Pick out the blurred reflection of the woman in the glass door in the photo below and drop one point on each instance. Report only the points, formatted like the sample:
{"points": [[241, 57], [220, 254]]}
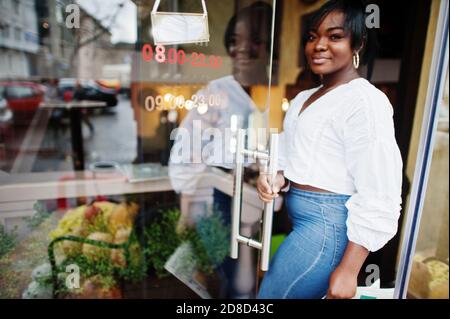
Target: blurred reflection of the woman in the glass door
{"points": [[248, 45]]}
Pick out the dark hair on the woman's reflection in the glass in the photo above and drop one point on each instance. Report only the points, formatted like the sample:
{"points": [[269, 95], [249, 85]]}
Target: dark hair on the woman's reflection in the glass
{"points": [[259, 14]]}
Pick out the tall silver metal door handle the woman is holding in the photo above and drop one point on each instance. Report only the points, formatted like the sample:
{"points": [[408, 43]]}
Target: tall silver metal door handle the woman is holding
{"points": [[269, 164]]}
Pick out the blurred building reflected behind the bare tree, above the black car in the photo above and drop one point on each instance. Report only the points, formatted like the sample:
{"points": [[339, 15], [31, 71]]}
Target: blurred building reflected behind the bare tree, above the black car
{"points": [[75, 52]]}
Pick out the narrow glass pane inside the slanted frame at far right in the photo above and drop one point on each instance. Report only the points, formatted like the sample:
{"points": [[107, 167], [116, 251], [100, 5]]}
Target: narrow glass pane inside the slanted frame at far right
{"points": [[429, 272]]}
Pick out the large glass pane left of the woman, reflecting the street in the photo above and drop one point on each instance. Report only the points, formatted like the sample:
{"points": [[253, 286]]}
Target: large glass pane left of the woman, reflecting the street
{"points": [[114, 100]]}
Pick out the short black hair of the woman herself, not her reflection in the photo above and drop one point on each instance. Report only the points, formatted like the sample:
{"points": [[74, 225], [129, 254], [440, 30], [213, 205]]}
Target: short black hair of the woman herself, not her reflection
{"points": [[355, 24]]}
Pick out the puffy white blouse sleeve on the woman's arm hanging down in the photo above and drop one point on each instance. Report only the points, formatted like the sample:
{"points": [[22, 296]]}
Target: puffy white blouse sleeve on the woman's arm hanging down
{"points": [[374, 162]]}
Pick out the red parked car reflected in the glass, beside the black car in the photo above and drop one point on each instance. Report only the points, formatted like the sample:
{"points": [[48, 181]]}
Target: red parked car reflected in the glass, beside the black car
{"points": [[22, 96]]}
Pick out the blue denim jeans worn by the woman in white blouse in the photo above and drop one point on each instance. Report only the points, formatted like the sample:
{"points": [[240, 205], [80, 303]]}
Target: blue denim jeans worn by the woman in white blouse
{"points": [[303, 263]]}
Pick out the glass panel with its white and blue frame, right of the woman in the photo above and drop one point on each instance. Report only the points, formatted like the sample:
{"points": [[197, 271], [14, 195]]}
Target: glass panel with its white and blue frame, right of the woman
{"points": [[423, 269]]}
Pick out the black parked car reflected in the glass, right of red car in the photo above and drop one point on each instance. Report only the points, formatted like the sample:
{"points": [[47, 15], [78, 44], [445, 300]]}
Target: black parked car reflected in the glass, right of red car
{"points": [[90, 90]]}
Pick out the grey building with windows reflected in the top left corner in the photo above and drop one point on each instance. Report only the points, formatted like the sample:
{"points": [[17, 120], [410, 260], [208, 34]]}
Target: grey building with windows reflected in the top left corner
{"points": [[18, 38]]}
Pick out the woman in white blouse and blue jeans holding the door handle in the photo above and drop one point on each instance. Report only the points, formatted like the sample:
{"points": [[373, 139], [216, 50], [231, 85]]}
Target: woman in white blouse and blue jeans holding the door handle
{"points": [[342, 163]]}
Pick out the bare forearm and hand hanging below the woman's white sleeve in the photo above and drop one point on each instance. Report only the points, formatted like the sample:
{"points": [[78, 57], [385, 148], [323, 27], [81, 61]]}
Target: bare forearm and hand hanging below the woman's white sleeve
{"points": [[343, 280]]}
